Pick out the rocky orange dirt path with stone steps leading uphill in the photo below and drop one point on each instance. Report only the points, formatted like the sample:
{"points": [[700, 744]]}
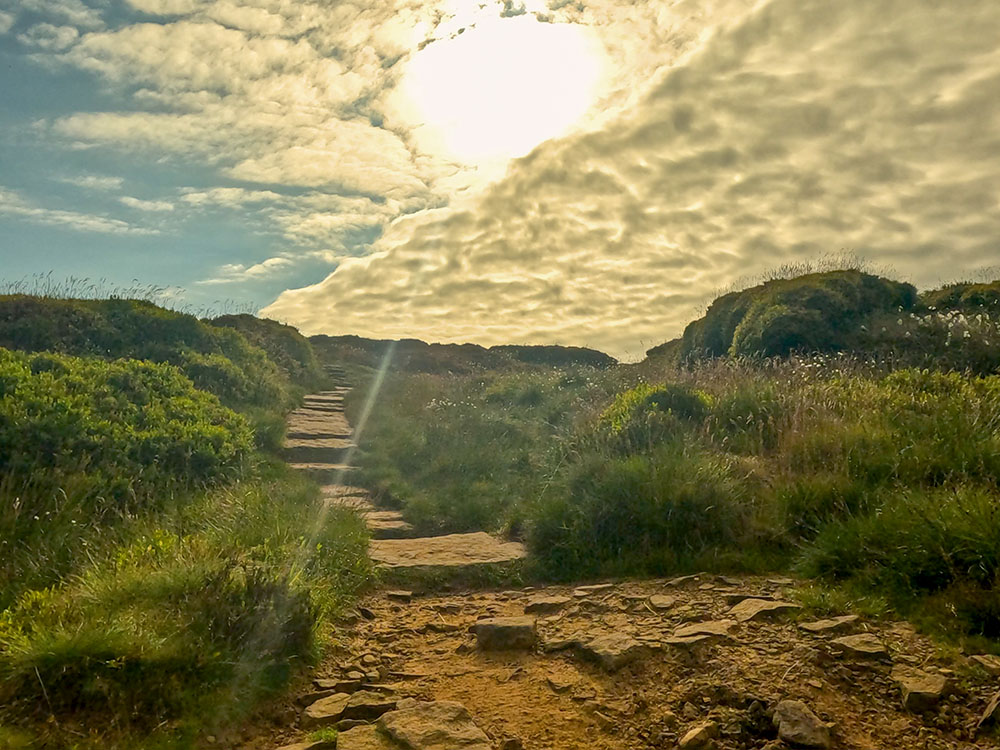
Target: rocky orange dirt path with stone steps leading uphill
{"points": [[697, 662]]}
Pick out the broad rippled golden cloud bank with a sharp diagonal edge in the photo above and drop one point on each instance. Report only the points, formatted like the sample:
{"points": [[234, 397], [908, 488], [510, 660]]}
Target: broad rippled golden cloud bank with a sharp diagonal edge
{"points": [[791, 131]]}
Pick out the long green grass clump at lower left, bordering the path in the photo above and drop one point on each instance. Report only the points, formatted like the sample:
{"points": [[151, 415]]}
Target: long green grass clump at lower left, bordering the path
{"points": [[184, 622]]}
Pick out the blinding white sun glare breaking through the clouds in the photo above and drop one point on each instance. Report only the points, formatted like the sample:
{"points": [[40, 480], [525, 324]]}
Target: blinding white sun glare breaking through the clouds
{"points": [[501, 87]]}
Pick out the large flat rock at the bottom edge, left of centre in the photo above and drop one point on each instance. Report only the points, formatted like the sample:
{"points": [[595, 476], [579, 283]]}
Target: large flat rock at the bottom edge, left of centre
{"points": [[437, 725]]}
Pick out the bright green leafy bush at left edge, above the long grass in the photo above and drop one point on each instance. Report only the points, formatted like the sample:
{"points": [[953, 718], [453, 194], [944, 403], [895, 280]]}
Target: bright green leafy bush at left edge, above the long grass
{"points": [[136, 429]]}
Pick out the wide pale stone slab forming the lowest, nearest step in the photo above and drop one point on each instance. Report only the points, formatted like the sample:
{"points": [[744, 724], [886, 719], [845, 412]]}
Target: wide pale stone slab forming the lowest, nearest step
{"points": [[452, 550]]}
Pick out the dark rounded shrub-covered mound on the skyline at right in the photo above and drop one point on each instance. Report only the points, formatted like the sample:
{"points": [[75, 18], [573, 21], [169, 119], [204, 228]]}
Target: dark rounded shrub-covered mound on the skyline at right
{"points": [[849, 312]]}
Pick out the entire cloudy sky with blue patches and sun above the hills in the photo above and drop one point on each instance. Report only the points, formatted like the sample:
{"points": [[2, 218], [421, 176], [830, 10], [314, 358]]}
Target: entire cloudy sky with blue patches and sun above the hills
{"points": [[580, 172]]}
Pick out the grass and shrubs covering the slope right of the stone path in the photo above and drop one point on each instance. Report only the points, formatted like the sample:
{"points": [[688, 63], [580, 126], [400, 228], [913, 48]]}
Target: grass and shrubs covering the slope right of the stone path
{"points": [[856, 468]]}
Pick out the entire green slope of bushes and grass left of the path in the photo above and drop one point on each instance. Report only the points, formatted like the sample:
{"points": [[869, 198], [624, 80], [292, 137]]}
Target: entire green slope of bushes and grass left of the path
{"points": [[160, 576]]}
